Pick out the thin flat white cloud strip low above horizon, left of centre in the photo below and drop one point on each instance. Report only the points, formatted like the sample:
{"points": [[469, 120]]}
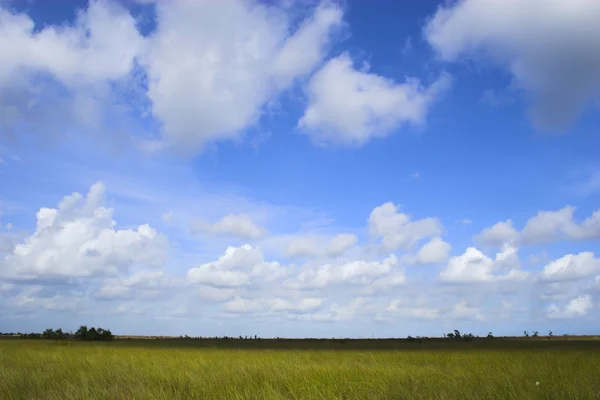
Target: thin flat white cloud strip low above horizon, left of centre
{"points": [[240, 305]]}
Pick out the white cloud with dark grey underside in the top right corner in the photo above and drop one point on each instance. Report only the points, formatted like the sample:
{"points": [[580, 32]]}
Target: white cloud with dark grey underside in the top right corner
{"points": [[550, 47]]}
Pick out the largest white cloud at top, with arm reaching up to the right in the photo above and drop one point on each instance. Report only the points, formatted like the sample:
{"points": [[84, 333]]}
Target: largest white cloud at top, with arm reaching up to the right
{"points": [[232, 58]]}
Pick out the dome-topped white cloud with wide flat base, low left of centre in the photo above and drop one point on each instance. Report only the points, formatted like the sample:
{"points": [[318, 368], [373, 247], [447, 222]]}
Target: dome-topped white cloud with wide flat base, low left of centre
{"points": [[239, 266]]}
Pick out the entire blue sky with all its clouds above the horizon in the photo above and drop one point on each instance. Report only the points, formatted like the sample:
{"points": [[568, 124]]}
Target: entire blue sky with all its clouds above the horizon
{"points": [[300, 168]]}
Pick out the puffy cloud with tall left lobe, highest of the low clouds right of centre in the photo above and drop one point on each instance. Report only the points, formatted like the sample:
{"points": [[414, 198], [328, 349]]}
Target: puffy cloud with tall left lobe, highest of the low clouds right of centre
{"points": [[397, 230]]}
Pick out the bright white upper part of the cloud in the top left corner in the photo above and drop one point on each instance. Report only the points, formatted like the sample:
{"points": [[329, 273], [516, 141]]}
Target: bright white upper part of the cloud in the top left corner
{"points": [[101, 45]]}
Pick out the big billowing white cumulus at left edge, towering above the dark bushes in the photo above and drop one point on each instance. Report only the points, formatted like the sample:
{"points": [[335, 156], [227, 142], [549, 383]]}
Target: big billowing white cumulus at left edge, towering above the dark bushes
{"points": [[78, 239]]}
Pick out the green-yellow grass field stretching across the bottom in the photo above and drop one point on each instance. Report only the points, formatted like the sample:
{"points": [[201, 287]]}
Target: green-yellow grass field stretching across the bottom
{"points": [[295, 369]]}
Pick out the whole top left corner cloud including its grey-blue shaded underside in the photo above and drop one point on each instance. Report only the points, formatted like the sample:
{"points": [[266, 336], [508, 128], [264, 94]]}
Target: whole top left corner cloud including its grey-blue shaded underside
{"points": [[64, 71]]}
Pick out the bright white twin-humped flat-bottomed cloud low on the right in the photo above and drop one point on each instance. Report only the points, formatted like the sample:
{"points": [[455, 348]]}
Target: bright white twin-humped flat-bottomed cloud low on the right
{"points": [[474, 266]]}
